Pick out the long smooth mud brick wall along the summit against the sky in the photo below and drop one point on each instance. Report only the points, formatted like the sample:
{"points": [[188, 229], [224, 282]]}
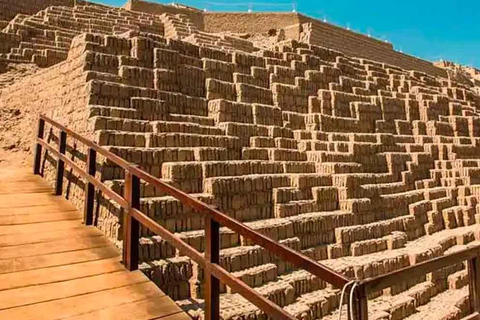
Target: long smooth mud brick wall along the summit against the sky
{"points": [[296, 27]]}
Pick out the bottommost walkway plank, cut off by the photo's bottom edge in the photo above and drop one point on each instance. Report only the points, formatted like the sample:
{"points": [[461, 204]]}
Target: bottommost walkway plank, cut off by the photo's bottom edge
{"points": [[153, 308]]}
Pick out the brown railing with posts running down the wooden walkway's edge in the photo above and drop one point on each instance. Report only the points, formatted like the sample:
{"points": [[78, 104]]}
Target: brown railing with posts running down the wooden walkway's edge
{"points": [[130, 202]]}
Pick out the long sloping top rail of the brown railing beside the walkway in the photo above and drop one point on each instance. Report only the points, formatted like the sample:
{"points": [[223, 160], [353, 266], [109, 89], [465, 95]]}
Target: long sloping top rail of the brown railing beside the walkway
{"points": [[319, 270]]}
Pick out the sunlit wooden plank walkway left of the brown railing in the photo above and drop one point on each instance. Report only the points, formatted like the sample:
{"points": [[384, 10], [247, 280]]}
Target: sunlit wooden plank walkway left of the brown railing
{"points": [[54, 267]]}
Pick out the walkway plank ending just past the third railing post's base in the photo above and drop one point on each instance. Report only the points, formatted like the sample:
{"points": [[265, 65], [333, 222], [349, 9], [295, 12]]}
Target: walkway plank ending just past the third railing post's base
{"points": [[45, 236]]}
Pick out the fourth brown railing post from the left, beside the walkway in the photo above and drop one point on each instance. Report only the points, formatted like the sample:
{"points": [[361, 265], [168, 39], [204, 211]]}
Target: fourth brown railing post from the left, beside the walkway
{"points": [[131, 227]]}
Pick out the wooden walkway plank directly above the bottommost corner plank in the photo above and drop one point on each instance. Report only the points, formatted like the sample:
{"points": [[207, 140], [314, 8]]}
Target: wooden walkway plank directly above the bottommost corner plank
{"points": [[73, 306]]}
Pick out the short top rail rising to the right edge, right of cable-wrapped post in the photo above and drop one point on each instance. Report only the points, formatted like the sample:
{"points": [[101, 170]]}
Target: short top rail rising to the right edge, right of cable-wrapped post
{"points": [[395, 277]]}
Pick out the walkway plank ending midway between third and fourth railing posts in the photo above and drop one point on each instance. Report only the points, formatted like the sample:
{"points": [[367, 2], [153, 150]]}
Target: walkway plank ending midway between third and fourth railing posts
{"points": [[64, 245]]}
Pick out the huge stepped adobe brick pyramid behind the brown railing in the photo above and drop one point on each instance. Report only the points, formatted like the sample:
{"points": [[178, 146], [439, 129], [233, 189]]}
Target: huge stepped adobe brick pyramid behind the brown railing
{"points": [[328, 141]]}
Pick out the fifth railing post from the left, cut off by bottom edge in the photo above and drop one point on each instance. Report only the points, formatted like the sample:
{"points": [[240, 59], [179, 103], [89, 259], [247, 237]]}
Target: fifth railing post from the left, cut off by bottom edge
{"points": [[212, 284]]}
